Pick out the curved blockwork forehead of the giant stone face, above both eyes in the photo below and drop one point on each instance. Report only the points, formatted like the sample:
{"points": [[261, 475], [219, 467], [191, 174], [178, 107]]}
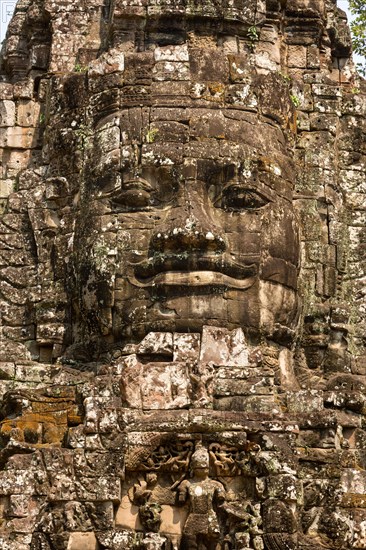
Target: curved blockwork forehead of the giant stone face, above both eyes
{"points": [[166, 145]]}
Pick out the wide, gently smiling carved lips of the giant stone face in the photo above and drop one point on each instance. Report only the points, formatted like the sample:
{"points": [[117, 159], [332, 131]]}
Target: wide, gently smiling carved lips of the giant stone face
{"points": [[193, 271]]}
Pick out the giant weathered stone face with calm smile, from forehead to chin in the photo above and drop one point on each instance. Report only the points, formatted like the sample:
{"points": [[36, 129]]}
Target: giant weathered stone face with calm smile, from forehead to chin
{"points": [[186, 220]]}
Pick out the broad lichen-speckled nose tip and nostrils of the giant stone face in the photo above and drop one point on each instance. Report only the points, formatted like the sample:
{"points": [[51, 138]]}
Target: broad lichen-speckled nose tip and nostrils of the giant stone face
{"points": [[190, 236]]}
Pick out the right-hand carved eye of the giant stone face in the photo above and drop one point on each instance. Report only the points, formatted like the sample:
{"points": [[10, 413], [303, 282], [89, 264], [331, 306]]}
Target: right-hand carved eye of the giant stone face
{"points": [[237, 196]]}
